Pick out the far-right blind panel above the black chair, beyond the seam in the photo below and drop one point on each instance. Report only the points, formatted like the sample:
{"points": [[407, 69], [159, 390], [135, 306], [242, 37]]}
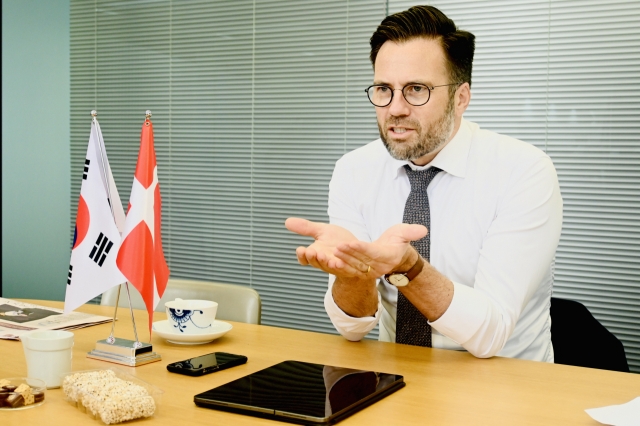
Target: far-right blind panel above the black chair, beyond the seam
{"points": [[594, 140]]}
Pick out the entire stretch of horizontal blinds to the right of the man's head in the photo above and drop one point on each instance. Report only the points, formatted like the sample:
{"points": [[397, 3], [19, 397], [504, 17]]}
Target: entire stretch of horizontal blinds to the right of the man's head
{"points": [[563, 75]]}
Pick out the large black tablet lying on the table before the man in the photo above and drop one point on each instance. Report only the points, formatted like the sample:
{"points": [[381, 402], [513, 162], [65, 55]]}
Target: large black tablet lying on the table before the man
{"points": [[301, 392]]}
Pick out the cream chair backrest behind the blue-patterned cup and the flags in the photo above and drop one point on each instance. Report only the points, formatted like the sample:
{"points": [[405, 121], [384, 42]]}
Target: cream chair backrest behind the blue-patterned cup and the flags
{"points": [[235, 302]]}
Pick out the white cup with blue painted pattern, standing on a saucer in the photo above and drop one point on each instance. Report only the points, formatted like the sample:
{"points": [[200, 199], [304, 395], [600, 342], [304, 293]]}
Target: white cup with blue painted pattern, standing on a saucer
{"points": [[191, 316]]}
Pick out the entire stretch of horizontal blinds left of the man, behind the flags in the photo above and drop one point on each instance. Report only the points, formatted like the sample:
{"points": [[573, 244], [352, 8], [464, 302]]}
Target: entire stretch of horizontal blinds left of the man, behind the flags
{"points": [[253, 102]]}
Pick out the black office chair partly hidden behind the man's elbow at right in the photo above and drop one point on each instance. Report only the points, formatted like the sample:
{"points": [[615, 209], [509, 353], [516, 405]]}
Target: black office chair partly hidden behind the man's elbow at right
{"points": [[579, 339]]}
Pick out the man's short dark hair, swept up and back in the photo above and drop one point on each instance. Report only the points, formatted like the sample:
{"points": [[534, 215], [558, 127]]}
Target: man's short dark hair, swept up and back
{"points": [[429, 22]]}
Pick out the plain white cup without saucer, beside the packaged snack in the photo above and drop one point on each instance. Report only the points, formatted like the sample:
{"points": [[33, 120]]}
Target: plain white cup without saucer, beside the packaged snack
{"points": [[48, 354]]}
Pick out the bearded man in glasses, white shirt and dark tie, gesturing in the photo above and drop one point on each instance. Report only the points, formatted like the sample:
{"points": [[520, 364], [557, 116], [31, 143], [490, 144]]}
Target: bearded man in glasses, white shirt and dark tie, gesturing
{"points": [[482, 273]]}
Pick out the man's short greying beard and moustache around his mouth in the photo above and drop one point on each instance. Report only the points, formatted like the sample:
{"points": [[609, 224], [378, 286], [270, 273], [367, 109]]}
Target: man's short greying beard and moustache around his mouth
{"points": [[424, 142]]}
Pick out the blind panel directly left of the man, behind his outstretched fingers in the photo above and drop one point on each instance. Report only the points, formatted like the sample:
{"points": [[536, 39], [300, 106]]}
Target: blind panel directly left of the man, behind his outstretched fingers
{"points": [[303, 56]]}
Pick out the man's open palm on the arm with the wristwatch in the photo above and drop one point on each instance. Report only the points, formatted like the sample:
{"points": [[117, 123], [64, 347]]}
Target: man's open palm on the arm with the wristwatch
{"points": [[391, 252]]}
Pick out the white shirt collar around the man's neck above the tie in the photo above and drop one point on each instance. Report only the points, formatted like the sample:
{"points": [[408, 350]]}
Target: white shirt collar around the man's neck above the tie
{"points": [[453, 157]]}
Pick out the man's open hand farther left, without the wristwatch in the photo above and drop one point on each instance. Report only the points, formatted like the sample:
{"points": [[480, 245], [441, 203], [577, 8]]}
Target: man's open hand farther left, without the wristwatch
{"points": [[321, 254]]}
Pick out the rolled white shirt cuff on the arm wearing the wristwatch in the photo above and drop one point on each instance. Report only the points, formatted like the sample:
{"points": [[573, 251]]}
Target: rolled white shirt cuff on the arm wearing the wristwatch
{"points": [[465, 316]]}
